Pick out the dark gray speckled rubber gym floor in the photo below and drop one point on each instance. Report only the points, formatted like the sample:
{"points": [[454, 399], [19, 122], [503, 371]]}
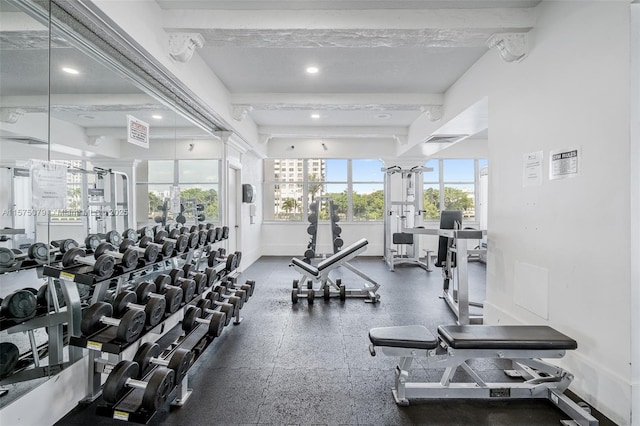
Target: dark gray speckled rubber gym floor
{"points": [[310, 364]]}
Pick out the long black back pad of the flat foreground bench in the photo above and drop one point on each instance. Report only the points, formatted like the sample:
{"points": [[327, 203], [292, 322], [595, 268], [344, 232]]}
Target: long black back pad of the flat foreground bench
{"points": [[536, 337]]}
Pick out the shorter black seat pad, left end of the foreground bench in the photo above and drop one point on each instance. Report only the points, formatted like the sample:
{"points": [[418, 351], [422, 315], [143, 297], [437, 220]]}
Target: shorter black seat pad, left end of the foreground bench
{"points": [[403, 336]]}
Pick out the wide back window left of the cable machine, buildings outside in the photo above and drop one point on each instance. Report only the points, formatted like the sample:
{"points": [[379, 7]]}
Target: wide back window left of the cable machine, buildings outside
{"points": [[354, 186]]}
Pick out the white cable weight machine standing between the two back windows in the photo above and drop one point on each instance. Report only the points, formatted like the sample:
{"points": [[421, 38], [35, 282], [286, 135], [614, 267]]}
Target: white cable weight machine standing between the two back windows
{"points": [[401, 246]]}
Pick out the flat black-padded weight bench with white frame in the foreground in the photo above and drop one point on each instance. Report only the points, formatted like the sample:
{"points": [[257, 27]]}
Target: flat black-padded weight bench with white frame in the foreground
{"points": [[524, 346]]}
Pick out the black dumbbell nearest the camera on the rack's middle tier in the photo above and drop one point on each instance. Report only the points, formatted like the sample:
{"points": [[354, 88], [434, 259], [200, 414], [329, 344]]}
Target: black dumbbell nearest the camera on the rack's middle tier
{"points": [[100, 314]]}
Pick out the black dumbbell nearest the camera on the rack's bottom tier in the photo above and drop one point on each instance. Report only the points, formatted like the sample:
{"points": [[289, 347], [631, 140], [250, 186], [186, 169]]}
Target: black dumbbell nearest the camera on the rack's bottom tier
{"points": [[156, 390]]}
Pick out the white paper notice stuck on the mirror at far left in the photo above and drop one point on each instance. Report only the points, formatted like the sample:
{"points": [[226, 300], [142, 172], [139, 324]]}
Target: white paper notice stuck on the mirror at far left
{"points": [[48, 185]]}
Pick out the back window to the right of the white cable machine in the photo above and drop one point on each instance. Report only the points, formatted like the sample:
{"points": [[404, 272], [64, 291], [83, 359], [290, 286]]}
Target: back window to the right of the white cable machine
{"points": [[453, 185]]}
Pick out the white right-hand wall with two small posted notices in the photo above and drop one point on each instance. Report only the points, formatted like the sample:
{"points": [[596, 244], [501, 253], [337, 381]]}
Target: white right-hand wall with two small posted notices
{"points": [[571, 91]]}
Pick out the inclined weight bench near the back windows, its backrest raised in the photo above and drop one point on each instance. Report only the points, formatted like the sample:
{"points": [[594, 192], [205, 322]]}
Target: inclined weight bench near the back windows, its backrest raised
{"points": [[320, 274]]}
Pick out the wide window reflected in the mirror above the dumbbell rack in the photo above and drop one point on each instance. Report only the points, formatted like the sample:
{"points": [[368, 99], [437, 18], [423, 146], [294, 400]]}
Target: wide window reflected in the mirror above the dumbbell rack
{"points": [[197, 180]]}
